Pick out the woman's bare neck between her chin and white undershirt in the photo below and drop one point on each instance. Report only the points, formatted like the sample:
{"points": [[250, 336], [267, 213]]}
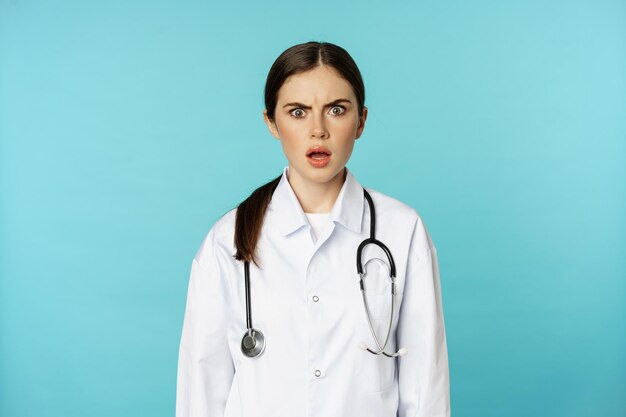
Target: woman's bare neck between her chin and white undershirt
{"points": [[316, 197]]}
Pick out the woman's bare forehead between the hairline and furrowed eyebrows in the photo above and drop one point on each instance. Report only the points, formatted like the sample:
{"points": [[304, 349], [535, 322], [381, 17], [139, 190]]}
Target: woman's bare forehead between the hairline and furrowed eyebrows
{"points": [[323, 83]]}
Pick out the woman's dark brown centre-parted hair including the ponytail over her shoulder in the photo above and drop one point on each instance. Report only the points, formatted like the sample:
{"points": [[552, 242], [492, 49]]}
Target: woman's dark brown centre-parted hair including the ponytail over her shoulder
{"points": [[294, 60]]}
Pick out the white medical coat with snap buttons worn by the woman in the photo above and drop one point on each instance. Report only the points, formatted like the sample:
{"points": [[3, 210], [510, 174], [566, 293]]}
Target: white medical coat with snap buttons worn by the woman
{"points": [[307, 302]]}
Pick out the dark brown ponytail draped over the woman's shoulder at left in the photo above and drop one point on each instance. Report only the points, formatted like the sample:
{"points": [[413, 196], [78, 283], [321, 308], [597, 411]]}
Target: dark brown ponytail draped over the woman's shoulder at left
{"points": [[249, 221]]}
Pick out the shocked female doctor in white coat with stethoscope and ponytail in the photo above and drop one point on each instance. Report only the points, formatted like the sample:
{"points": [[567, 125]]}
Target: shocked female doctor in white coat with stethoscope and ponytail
{"points": [[315, 297]]}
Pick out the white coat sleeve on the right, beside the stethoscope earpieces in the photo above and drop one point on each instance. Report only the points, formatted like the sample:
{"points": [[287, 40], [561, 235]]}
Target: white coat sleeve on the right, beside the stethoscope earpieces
{"points": [[423, 375]]}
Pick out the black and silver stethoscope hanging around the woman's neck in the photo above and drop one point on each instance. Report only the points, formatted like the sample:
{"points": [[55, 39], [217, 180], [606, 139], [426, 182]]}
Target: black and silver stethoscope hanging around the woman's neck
{"points": [[253, 341]]}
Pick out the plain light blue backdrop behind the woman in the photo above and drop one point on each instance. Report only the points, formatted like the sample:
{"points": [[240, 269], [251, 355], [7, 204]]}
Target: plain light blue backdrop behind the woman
{"points": [[128, 128]]}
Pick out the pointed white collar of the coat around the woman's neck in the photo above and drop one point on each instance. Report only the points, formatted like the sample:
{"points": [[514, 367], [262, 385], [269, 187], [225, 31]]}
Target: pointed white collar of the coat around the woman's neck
{"points": [[289, 215]]}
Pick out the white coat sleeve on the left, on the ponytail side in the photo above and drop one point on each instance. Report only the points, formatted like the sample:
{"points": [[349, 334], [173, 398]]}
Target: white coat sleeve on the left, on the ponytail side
{"points": [[205, 365]]}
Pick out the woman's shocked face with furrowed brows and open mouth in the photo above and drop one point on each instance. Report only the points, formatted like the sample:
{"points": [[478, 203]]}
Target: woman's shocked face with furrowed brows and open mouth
{"points": [[316, 108]]}
